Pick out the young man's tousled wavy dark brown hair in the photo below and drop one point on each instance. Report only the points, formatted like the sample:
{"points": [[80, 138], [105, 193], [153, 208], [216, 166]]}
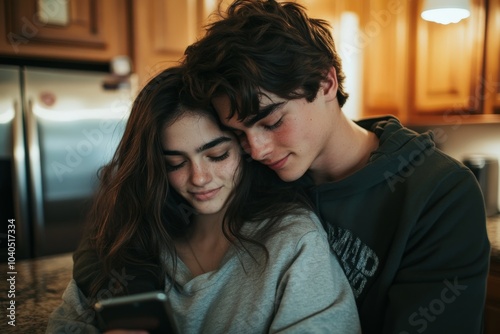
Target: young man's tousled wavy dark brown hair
{"points": [[262, 44]]}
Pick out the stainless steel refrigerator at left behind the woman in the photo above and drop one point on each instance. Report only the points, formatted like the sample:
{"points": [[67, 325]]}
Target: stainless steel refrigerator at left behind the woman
{"points": [[57, 128]]}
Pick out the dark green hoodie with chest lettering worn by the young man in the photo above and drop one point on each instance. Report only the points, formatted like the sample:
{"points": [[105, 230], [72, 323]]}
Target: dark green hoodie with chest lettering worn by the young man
{"points": [[410, 231]]}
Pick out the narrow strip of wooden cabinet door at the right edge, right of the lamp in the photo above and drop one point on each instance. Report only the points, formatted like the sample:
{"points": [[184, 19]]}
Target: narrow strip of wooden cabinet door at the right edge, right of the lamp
{"points": [[491, 82]]}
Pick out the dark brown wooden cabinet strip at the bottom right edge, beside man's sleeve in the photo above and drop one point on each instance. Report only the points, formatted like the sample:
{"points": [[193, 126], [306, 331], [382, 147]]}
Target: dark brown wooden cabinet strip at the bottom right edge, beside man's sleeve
{"points": [[492, 307]]}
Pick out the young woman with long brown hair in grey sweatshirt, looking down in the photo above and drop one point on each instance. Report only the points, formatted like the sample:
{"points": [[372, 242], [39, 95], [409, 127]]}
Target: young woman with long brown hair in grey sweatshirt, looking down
{"points": [[181, 209]]}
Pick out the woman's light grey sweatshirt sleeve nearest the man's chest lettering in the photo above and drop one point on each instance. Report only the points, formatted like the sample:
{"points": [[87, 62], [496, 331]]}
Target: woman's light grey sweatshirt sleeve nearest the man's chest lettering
{"points": [[314, 294]]}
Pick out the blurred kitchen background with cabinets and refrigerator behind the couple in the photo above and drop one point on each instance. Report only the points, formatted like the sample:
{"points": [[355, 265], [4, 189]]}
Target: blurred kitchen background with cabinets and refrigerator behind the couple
{"points": [[69, 70]]}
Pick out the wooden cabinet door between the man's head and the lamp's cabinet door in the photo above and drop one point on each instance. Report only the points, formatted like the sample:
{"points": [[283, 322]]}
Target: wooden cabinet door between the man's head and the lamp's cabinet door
{"points": [[386, 41]]}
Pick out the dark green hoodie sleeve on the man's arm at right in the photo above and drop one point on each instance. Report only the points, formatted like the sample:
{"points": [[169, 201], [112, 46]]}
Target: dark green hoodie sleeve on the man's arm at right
{"points": [[445, 266]]}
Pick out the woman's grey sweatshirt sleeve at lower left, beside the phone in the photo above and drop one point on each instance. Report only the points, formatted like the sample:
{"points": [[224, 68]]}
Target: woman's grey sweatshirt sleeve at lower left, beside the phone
{"points": [[73, 315]]}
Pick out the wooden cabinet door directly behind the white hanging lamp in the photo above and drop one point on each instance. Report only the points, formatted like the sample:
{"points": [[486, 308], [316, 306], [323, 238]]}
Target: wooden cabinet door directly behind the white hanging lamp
{"points": [[447, 63]]}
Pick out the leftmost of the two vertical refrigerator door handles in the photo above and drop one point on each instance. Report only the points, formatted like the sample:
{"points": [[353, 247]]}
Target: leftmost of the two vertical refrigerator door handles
{"points": [[20, 184]]}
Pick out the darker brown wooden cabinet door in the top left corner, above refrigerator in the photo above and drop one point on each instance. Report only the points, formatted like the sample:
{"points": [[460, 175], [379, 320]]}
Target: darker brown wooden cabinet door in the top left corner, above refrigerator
{"points": [[82, 30]]}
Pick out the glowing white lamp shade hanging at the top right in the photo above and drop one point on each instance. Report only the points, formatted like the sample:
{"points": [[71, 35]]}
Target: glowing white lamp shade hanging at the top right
{"points": [[445, 11]]}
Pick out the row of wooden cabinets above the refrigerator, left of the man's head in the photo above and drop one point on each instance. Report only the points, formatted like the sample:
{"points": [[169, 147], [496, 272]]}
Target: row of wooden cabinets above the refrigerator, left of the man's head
{"points": [[153, 33]]}
